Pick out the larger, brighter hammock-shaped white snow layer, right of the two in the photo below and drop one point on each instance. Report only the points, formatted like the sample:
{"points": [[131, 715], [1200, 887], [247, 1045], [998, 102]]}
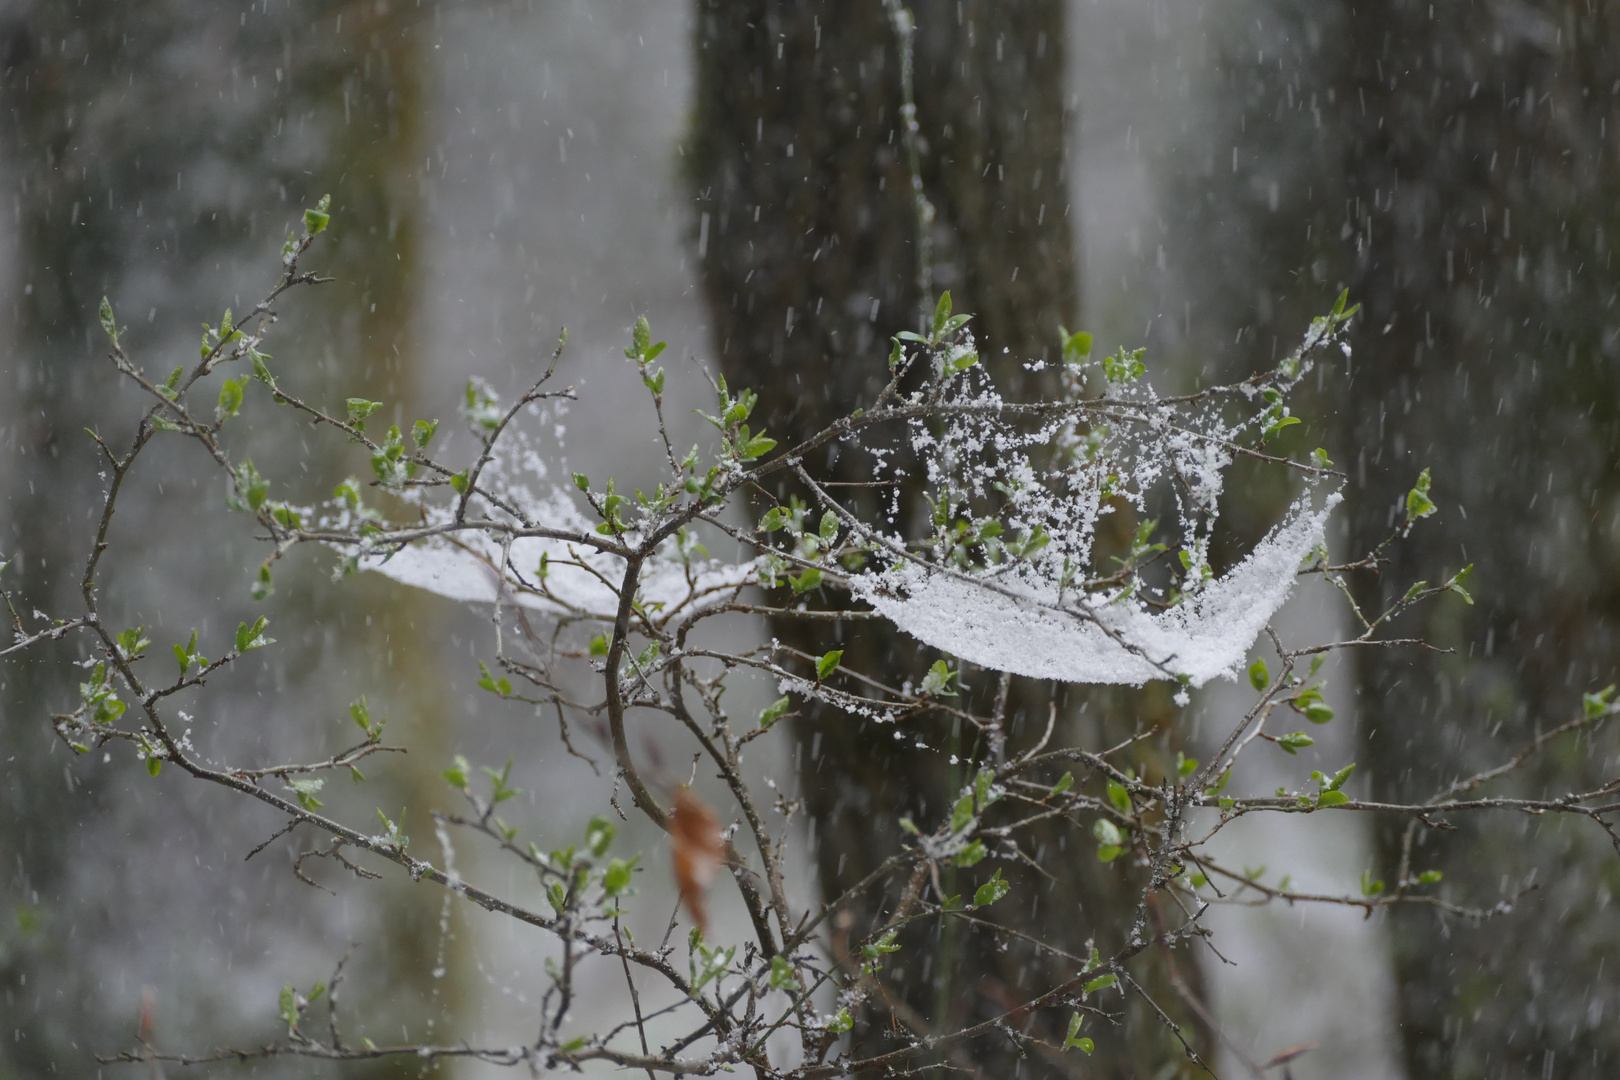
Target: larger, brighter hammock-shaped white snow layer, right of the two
{"points": [[1023, 627]]}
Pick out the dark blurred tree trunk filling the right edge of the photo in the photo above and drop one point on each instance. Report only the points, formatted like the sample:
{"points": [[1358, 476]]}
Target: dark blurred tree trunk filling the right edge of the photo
{"points": [[1491, 274]]}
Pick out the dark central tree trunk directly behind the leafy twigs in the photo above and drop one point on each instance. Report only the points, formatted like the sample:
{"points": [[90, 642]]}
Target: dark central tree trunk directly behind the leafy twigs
{"points": [[808, 239]]}
